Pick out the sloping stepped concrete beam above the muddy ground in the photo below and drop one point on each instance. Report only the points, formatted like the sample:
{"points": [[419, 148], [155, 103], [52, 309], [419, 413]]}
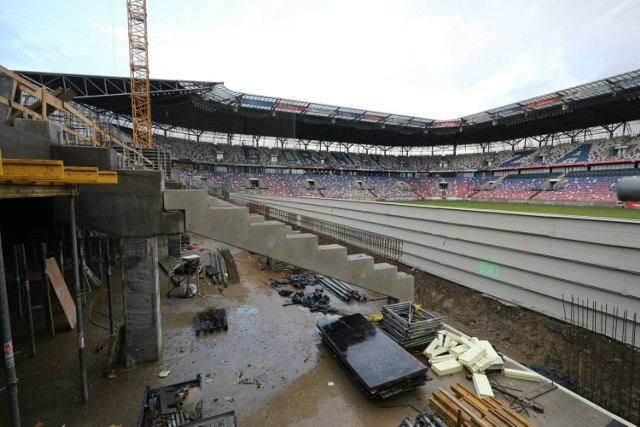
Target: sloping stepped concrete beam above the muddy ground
{"points": [[234, 225]]}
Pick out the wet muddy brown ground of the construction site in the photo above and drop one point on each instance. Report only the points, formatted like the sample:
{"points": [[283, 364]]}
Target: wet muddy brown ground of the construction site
{"points": [[270, 367]]}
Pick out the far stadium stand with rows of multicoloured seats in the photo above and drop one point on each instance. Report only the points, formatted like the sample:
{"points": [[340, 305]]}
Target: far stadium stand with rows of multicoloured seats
{"points": [[510, 175]]}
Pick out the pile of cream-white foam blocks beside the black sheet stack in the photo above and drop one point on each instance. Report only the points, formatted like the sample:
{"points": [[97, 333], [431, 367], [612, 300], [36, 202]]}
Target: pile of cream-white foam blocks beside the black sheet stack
{"points": [[476, 355]]}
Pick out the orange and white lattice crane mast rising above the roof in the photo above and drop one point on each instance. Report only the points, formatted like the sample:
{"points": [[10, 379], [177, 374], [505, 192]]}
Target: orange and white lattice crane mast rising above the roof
{"points": [[139, 65]]}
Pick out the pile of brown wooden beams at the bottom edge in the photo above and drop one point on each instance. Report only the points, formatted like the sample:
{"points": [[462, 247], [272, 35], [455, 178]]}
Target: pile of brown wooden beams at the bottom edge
{"points": [[464, 408]]}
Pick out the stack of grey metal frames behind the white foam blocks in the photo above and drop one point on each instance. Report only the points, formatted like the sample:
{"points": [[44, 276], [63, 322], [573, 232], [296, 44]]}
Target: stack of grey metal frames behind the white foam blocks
{"points": [[409, 325]]}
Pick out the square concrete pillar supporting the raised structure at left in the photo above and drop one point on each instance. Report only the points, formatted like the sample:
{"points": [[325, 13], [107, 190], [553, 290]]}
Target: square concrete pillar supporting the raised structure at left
{"points": [[141, 295]]}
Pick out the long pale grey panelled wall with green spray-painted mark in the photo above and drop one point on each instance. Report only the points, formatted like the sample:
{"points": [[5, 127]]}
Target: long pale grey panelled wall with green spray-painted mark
{"points": [[531, 260]]}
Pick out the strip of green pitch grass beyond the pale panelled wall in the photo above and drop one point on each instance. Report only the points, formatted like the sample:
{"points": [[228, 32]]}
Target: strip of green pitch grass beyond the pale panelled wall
{"points": [[616, 212]]}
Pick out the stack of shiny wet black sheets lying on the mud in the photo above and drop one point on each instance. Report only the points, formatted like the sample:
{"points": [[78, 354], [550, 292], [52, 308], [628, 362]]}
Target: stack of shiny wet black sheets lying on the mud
{"points": [[378, 363]]}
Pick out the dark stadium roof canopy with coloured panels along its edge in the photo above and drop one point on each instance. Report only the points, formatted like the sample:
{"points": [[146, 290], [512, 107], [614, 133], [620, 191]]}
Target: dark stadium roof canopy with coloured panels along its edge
{"points": [[210, 106]]}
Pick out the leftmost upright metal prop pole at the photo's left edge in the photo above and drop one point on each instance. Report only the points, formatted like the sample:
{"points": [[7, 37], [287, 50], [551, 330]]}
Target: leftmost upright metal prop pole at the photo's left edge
{"points": [[9, 359]]}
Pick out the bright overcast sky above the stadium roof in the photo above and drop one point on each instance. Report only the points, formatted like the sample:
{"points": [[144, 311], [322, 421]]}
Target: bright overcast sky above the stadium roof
{"points": [[438, 59]]}
